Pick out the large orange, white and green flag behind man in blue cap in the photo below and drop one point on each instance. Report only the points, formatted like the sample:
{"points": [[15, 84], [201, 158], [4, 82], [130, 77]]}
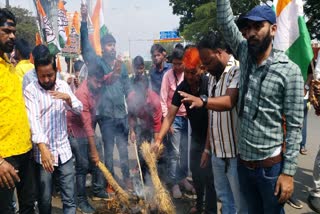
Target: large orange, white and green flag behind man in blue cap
{"points": [[292, 34]]}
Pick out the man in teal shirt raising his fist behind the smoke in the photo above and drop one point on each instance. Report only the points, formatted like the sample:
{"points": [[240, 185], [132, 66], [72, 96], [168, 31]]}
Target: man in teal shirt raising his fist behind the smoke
{"points": [[112, 115]]}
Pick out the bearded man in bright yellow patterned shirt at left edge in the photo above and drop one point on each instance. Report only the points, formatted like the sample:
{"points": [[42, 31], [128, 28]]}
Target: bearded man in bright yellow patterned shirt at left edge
{"points": [[16, 164]]}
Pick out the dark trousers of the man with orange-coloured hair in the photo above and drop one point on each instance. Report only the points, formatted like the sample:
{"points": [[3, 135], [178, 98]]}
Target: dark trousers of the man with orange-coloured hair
{"points": [[202, 179]]}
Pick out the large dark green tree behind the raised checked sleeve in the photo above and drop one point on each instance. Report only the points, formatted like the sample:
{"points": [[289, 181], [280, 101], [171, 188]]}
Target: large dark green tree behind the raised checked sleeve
{"points": [[198, 16]]}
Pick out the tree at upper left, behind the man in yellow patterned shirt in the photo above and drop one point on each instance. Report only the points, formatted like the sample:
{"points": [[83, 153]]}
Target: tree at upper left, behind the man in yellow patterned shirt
{"points": [[26, 24]]}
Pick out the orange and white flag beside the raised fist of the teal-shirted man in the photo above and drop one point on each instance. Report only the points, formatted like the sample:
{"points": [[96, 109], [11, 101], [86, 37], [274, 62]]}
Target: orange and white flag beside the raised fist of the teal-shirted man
{"points": [[99, 27]]}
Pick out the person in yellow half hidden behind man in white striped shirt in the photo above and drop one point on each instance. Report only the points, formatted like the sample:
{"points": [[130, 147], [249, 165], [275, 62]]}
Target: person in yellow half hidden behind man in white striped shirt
{"points": [[22, 55]]}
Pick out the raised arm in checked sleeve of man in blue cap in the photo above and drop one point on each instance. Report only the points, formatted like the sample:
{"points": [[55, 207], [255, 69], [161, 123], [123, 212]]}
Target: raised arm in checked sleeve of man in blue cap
{"points": [[227, 25]]}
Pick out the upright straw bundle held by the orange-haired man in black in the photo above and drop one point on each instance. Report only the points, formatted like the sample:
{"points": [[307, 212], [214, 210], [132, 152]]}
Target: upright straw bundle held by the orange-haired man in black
{"points": [[162, 196]]}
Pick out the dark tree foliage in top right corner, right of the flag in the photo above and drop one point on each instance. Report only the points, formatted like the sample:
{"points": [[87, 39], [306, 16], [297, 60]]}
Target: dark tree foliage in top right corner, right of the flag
{"points": [[312, 10]]}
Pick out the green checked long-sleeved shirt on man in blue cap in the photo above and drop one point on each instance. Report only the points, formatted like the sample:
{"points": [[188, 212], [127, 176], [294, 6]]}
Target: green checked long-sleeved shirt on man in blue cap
{"points": [[281, 93]]}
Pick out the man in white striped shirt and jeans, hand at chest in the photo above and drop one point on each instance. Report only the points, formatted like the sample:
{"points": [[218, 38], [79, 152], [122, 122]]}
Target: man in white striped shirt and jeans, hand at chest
{"points": [[47, 102]]}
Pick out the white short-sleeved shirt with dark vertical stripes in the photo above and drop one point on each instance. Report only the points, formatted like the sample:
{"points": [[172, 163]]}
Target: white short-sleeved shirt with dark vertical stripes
{"points": [[222, 125]]}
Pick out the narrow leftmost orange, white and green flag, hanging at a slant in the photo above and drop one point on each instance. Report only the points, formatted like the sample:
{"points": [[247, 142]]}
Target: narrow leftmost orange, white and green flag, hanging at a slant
{"points": [[50, 37]]}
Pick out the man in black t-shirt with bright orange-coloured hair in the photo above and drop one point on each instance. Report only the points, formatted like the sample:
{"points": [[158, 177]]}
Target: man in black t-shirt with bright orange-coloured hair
{"points": [[195, 83]]}
